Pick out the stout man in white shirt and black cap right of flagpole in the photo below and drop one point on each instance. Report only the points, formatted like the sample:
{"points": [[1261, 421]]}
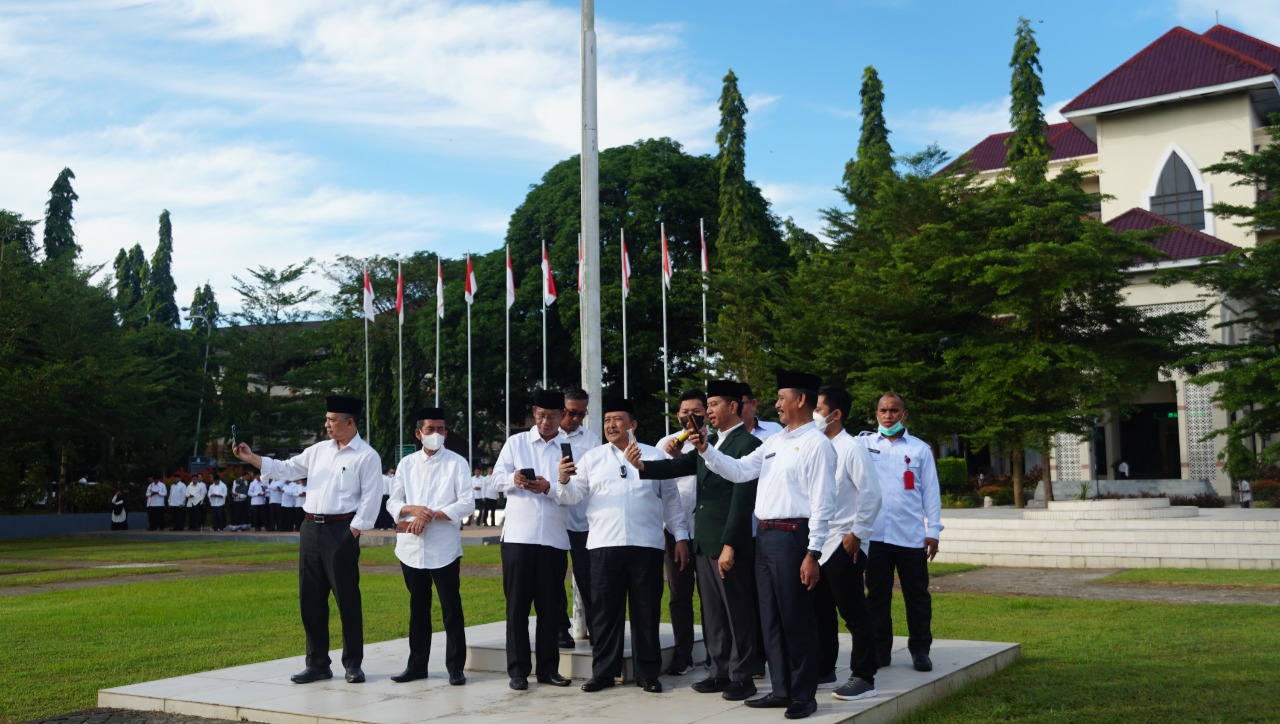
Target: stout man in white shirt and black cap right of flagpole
{"points": [[627, 519]]}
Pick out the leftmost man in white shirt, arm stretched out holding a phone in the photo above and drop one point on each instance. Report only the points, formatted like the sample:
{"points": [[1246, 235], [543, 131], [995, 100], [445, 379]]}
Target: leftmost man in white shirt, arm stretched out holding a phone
{"points": [[345, 491]]}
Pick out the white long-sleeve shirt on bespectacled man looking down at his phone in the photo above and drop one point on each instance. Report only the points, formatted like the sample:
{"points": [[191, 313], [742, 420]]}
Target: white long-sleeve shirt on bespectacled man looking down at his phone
{"points": [[532, 517]]}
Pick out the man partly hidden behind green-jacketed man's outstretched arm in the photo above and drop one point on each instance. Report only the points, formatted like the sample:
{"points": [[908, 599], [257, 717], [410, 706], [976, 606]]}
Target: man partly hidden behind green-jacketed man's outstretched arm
{"points": [[682, 580]]}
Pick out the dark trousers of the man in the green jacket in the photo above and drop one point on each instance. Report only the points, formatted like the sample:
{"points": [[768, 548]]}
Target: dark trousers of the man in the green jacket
{"points": [[730, 622]]}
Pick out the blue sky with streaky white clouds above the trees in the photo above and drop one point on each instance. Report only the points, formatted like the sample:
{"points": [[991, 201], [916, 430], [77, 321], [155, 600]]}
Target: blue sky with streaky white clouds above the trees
{"points": [[294, 129]]}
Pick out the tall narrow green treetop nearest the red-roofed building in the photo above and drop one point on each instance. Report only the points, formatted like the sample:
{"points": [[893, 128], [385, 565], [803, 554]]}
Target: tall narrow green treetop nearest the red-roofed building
{"points": [[1028, 145]]}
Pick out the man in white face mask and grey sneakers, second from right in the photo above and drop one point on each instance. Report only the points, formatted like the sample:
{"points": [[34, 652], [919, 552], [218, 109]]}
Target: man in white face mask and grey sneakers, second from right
{"points": [[844, 555]]}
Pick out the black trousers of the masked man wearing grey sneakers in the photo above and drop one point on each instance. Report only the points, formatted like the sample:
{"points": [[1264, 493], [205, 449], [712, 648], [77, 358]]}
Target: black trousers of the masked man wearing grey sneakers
{"points": [[840, 589]]}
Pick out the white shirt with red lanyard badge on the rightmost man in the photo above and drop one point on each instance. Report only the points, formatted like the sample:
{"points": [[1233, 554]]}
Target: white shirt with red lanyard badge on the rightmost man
{"points": [[908, 516]]}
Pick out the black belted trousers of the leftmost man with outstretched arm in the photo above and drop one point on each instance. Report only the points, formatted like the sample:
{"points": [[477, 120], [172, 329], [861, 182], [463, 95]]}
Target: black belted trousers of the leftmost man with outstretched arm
{"points": [[330, 562]]}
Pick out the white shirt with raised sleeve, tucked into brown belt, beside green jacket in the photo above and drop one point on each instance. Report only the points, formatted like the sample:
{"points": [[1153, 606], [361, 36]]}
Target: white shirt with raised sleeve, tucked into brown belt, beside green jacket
{"points": [[798, 478]]}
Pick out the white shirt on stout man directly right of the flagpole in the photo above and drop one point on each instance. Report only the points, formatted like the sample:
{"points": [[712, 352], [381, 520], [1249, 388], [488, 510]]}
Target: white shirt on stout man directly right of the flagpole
{"points": [[623, 510]]}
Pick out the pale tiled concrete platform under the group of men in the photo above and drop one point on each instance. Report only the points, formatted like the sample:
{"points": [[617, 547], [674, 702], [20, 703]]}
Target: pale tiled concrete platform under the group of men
{"points": [[262, 693]]}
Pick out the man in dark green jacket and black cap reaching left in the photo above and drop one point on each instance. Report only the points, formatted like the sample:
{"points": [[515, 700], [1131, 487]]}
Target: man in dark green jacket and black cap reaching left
{"points": [[724, 549]]}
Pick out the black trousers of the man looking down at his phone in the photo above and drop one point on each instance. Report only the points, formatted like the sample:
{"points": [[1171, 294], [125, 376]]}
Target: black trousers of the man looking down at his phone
{"points": [[533, 575]]}
